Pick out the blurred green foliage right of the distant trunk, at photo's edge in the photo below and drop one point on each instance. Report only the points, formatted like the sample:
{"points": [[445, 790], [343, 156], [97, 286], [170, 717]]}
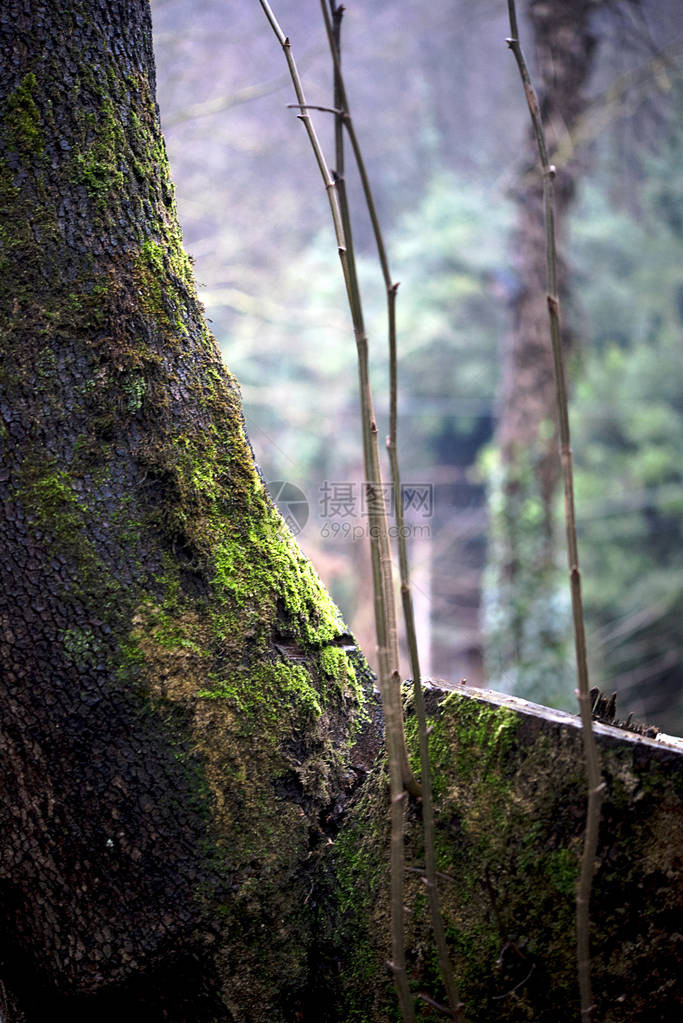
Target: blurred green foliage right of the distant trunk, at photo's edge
{"points": [[628, 437]]}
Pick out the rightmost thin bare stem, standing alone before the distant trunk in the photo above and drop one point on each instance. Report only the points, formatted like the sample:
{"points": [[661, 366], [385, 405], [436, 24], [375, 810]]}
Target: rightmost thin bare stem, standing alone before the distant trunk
{"points": [[596, 785]]}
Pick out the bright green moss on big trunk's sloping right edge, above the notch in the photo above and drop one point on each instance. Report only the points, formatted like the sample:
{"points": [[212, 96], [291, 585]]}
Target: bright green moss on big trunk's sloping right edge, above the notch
{"points": [[259, 576]]}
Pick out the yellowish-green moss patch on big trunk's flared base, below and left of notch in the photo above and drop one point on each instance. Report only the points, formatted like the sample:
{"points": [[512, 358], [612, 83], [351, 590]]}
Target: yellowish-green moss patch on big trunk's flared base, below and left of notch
{"points": [[236, 689]]}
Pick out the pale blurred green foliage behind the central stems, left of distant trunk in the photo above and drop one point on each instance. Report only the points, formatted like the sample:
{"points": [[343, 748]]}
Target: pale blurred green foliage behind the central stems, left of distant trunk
{"points": [[449, 255]]}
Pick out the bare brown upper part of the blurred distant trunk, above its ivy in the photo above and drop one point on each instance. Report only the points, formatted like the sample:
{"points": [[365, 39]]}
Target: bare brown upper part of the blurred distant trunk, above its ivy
{"points": [[564, 48]]}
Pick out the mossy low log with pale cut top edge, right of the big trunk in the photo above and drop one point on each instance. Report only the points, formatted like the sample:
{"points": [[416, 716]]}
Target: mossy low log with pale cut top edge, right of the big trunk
{"points": [[511, 800]]}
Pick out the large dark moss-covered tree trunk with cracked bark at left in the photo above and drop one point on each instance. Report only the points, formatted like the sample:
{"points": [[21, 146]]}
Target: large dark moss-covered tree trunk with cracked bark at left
{"points": [[179, 699]]}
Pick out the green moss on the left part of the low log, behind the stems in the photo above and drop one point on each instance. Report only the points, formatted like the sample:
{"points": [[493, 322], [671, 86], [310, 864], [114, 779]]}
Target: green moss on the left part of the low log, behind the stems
{"points": [[474, 752]]}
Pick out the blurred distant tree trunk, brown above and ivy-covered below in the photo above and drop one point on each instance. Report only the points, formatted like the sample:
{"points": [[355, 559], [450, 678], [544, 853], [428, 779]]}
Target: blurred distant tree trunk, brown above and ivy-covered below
{"points": [[529, 620]]}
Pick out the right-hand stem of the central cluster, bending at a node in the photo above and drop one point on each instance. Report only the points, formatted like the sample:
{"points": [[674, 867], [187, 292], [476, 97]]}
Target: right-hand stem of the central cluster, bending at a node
{"points": [[345, 120]]}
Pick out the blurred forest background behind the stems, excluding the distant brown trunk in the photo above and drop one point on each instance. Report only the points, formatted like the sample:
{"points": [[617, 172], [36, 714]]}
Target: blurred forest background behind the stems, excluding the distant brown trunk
{"points": [[438, 106]]}
